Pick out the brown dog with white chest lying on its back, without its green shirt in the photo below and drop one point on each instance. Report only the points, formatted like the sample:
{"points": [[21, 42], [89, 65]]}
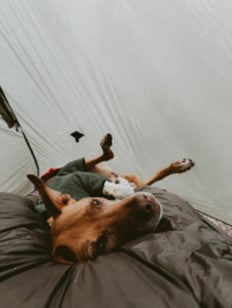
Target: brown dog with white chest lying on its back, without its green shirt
{"points": [[85, 228]]}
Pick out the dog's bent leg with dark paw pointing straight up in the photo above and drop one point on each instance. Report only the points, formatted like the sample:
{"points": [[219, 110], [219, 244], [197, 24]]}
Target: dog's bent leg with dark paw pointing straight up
{"points": [[106, 155]]}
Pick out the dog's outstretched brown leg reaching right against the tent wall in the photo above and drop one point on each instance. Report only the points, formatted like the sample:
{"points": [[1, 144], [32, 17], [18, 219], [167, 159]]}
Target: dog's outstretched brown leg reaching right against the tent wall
{"points": [[176, 167]]}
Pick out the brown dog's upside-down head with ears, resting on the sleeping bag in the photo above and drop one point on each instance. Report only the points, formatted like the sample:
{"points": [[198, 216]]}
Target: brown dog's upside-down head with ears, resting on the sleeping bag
{"points": [[85, 229]]}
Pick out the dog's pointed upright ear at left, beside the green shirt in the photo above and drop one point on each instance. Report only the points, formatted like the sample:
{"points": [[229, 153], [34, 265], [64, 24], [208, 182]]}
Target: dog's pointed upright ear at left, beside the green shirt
{"points": [[53, 200]]}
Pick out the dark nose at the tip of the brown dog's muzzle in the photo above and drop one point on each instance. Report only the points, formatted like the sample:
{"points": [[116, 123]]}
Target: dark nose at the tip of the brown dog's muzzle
{"points": [[146, 202]]}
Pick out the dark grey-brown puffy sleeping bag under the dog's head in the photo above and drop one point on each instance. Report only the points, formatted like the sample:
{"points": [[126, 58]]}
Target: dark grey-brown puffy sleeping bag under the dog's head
{"points": [[186, 261]]}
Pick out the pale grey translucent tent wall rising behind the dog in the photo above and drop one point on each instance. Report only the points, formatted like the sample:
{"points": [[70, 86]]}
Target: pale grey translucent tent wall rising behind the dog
{"points": [[156, 74]]}
